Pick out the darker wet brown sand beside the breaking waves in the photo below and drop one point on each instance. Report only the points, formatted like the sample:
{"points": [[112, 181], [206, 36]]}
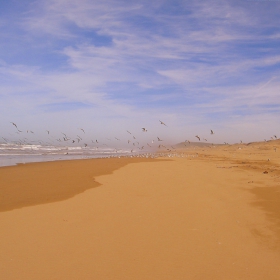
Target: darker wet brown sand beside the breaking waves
{"points": [[31, 183]]}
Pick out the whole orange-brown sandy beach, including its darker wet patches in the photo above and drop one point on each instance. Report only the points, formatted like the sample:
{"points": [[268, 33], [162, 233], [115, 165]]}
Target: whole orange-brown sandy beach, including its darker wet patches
{"points": [[213, 214]]}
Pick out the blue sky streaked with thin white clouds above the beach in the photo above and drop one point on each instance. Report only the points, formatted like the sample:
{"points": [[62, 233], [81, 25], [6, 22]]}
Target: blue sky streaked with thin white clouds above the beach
{"points": [[108, 66]]}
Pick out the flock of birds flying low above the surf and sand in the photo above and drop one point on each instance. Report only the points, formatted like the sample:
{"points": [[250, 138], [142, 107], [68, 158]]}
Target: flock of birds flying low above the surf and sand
{"points": [[135, 145]]}
